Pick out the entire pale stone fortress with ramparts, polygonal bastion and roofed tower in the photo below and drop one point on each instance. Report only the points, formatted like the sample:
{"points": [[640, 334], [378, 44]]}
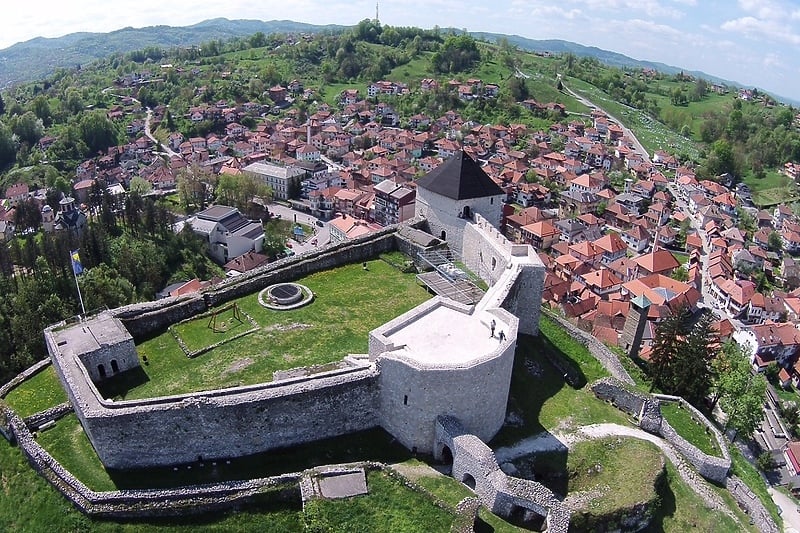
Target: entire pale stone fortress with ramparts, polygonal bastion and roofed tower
{"points": [[442, 364]]}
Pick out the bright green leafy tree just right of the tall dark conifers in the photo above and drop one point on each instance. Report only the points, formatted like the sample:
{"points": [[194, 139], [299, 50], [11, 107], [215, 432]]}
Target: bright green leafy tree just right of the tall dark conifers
{"points": [[739, 391]]}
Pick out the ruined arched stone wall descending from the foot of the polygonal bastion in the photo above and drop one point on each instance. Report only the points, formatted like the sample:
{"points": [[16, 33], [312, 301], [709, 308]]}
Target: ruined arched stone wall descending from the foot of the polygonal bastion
{"points": [[475, 465]]}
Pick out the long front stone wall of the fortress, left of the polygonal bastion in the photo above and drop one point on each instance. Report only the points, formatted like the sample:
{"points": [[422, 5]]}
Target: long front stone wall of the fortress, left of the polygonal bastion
{"points": [[232, 422]]}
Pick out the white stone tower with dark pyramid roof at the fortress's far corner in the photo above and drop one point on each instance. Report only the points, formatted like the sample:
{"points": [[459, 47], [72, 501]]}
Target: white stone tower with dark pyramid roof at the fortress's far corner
{"points": [[450, 195]]}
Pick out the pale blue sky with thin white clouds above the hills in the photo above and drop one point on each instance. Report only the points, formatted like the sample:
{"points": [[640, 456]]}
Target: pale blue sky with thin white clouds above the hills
{"points": [[753, 42]]}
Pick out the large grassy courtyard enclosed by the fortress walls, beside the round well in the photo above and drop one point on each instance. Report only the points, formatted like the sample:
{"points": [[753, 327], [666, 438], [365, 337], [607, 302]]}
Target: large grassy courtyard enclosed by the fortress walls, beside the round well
{"points": [[349, 303]]}
